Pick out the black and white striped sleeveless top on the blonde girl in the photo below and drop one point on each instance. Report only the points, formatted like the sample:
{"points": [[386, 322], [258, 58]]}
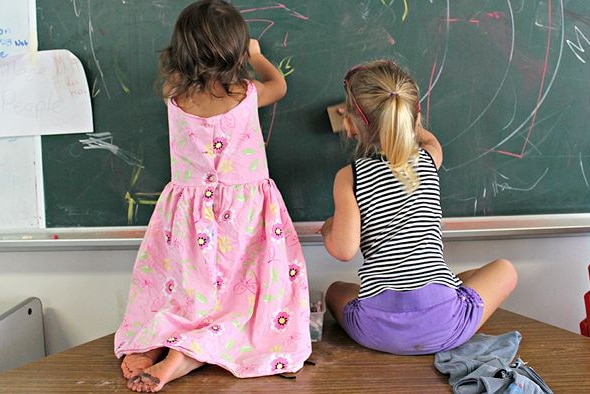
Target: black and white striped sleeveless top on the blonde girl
{"points": [[401, 239]]}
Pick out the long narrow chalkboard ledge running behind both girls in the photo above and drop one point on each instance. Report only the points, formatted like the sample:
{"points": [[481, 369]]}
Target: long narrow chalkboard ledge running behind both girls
{"points": [[454, 229]]}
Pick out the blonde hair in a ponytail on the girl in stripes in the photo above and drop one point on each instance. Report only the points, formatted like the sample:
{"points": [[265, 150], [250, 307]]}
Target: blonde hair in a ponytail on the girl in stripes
{"points": [[382, 102]]}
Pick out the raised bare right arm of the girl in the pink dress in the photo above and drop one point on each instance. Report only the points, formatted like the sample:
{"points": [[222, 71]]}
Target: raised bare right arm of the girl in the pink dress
{"points": [[271, 85]]}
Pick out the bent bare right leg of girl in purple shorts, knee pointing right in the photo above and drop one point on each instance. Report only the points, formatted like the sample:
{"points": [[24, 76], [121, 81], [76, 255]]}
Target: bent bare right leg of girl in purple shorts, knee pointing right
{"points": [[493, 282]]}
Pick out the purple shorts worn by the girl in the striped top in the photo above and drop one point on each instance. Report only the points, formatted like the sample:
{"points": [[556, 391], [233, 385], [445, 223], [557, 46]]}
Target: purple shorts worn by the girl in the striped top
{"points": [[422, 321]]}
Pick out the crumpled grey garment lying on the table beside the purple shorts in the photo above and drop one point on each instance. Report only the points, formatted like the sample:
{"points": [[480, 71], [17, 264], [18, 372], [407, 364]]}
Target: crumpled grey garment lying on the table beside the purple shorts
{"points": [[483, 365]]}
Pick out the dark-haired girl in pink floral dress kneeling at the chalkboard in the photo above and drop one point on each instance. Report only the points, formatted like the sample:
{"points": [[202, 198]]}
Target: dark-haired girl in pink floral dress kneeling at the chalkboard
{"points": [[220, 276]]}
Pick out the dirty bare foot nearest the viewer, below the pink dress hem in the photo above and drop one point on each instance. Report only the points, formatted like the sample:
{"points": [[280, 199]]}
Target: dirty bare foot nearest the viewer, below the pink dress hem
{"points": [[174, 366]]}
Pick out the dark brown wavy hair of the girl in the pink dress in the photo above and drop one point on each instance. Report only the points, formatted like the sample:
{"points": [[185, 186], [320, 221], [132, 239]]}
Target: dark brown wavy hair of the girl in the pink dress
{"points": [[209, 44]]}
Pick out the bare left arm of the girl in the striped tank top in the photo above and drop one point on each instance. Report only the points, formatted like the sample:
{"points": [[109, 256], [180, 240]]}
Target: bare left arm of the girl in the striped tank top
{"points": [[342, 232]]}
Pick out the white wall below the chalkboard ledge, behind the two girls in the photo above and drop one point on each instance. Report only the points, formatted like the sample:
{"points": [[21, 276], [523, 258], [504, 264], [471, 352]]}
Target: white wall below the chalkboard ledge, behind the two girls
{"points": [[84, 292]]}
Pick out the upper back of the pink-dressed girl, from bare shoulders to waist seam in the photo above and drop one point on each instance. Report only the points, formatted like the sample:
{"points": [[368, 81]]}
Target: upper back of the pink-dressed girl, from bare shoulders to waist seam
{"points": [[217, 144]]}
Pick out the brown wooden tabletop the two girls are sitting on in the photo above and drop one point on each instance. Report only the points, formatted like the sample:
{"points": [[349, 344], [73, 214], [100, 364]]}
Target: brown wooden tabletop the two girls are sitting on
{"points": [[561, 358]]}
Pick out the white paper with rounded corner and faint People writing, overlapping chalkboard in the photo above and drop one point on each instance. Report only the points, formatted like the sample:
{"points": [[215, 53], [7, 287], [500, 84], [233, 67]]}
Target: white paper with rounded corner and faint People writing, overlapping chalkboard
{"points": [[44, 93]]}
